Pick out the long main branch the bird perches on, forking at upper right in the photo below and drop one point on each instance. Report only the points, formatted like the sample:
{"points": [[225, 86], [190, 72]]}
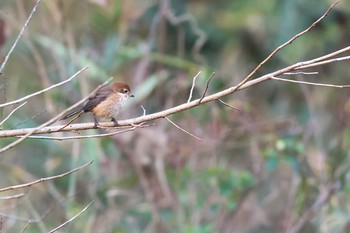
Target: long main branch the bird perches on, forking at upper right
{"points": [[162, 114]]}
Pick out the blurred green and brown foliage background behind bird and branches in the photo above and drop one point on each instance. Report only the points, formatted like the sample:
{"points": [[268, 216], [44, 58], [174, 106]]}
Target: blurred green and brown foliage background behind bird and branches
{"points": [[282, 157]]}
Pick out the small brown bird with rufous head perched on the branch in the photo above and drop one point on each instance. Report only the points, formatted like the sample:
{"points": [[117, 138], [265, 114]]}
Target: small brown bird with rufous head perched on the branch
{"points": [[105, 103]]}
